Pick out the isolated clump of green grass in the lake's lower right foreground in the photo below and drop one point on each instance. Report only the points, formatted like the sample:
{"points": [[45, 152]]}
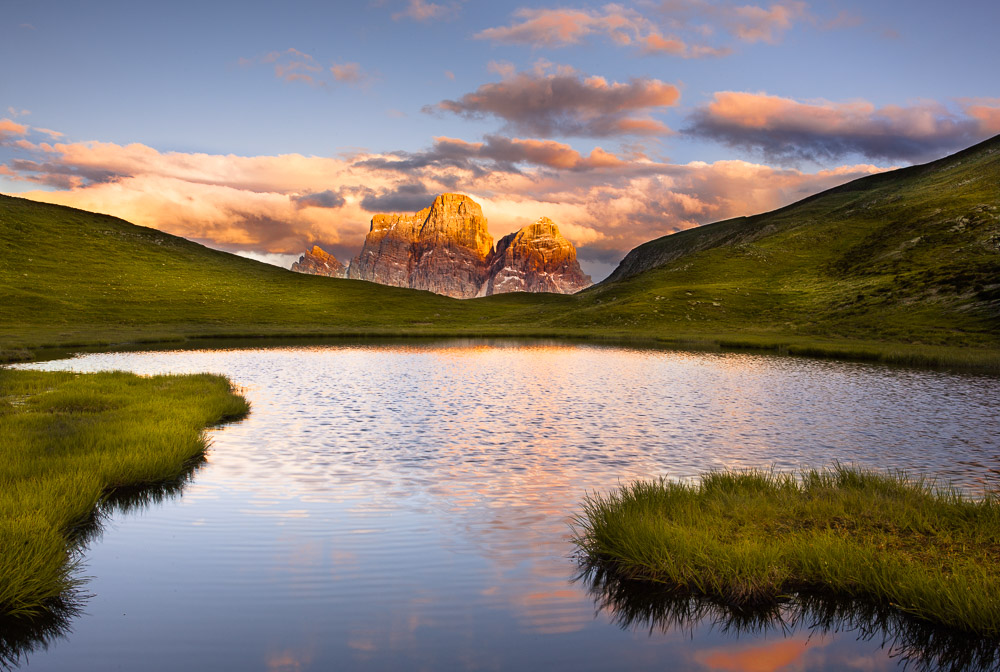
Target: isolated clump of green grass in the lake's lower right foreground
{"points": [[751, 539]]}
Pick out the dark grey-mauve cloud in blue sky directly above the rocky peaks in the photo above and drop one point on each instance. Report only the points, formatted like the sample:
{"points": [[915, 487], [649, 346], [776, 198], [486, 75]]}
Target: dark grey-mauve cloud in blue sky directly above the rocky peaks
{"points": [[564, 103]]}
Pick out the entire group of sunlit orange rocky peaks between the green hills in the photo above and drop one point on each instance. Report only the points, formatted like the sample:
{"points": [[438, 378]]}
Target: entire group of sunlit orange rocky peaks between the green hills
{"points": [[447, 249]]}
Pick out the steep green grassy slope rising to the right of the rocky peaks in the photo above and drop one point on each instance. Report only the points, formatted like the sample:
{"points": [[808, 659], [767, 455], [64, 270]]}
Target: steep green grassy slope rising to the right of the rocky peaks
{"points": [[911, 256]]}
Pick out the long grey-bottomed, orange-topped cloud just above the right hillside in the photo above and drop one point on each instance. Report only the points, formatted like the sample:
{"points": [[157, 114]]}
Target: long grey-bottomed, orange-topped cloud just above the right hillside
{"points": [[783, 129]]}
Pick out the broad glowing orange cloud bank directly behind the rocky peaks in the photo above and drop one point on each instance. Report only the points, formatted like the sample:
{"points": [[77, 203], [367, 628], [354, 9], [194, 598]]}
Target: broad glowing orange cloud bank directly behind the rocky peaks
{"points": [[605, 203]]}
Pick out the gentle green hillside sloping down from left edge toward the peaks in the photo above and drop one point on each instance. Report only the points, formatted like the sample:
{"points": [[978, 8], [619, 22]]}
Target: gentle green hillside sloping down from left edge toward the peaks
{"points": [[70, 276]]}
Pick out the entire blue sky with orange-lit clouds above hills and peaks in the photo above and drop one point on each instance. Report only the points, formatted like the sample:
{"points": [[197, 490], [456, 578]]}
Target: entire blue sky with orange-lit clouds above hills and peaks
{"points": [[266, 128]]}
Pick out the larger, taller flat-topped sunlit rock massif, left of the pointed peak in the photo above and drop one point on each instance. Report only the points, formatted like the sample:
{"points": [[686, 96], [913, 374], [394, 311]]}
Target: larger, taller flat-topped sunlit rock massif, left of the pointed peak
{"points": [[444, 248]]}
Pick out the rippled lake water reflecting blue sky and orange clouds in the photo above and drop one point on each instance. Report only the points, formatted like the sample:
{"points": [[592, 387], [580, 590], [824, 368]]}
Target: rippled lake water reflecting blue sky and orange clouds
{"points": [[408, 508]]}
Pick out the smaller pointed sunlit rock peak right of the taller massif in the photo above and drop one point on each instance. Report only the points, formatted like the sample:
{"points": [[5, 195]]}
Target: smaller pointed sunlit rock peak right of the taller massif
{"points": [[535, 259]]}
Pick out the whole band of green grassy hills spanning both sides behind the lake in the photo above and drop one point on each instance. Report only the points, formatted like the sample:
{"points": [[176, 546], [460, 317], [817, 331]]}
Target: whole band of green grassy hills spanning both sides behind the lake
{"points": [[899, 266]]}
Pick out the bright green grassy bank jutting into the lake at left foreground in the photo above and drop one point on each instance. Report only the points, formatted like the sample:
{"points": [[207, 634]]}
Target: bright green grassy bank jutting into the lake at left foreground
{"points": [[66, 441]]}
